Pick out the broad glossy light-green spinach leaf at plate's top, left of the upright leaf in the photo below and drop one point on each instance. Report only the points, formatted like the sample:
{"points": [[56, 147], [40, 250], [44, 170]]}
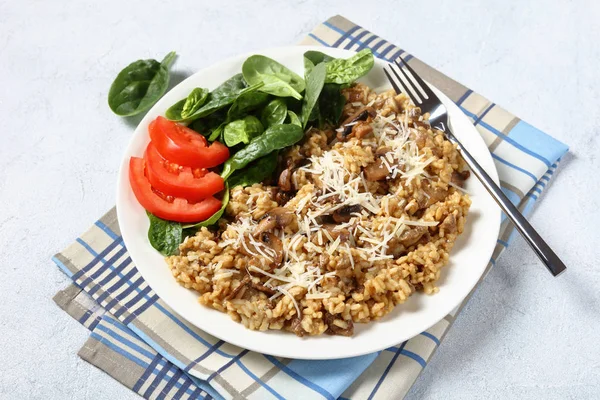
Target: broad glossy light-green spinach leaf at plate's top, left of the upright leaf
{"points": [[276, 78]]}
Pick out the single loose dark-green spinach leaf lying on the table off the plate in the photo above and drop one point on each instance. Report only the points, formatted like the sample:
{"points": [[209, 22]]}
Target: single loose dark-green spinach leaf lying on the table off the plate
{"points": [[139, 85]]}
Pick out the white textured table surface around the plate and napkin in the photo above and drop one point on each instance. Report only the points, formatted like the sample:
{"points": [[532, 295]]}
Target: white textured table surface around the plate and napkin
{"points": [[523, 335]]}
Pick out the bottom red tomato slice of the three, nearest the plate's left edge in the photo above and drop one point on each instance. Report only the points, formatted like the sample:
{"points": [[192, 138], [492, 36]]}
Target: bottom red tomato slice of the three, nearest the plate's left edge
{"points": [[178, 210]]}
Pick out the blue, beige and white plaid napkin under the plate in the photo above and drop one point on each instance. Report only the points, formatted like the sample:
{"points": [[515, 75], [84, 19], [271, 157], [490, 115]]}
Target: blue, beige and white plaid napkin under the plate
{"points": [[145, 345]]}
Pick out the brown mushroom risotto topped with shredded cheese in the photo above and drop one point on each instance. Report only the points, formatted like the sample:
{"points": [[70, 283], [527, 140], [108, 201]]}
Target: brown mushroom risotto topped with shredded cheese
{"points": [[356, 220]]}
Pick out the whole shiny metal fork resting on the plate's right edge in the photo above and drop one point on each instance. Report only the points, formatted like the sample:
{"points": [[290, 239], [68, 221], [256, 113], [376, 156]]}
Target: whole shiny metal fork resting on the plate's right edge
{"points": [[420, 93]]}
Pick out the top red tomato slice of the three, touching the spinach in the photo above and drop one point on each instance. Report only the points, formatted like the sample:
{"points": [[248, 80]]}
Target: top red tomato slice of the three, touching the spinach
{"points": [[184, 146]]}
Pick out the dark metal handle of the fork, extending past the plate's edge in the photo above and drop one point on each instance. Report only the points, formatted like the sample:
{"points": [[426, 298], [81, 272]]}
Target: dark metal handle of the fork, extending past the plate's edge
{"points": [[541, 248]]}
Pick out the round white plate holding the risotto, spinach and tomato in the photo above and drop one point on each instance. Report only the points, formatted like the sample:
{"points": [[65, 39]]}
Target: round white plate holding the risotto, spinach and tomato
{"points": [[467, 262]]}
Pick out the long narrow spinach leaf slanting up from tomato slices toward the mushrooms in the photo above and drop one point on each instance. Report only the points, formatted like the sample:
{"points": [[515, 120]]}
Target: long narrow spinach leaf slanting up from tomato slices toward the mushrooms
{"points": [[275, 138]]}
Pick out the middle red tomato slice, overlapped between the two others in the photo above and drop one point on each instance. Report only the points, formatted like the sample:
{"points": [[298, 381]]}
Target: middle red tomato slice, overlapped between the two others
{"points": [[177, 181]]}
